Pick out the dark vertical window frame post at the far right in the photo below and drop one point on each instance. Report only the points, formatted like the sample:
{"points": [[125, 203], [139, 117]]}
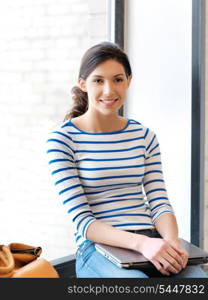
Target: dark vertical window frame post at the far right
{"points": [[198, 122]]}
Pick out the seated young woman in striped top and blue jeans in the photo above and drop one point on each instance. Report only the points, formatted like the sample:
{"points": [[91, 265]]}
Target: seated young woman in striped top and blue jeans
{"points": [[108, 173]]}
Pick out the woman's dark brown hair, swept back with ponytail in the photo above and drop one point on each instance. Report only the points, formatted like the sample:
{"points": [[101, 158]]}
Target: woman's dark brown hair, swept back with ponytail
{"points": [[91, 59]]}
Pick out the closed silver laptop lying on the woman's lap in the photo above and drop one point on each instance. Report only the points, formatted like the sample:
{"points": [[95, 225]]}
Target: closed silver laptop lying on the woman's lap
{"points": [[125, 258]]}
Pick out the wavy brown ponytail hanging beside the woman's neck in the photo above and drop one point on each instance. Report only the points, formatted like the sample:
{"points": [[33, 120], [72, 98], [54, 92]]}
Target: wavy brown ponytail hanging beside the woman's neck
{"points": [[80, 104]]}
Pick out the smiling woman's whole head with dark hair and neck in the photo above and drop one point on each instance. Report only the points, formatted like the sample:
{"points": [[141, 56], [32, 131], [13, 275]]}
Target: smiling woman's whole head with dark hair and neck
{"points": [[104, 77]]}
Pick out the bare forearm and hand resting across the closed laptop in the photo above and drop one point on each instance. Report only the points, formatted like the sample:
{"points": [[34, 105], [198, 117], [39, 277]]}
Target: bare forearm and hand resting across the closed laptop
{"points": [[163, 256]]}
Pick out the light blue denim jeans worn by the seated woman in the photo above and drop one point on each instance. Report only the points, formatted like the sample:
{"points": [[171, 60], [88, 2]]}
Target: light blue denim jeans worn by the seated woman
{"points": [[91, 264]]}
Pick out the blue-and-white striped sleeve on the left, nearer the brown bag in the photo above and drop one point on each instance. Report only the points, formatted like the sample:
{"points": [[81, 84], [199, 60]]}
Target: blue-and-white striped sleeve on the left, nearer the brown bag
{"points": [[60, 153]]}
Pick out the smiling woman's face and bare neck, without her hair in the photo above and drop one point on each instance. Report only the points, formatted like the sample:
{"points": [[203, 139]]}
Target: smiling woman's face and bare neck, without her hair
{"points": [[106, 94]]}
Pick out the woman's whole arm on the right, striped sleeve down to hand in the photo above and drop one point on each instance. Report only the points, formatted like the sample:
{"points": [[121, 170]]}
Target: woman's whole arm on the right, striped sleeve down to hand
{"points": [[154, 185]]}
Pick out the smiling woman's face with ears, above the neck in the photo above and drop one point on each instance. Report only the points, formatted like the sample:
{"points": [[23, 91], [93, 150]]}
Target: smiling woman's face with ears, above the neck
{"points": [[106, 87]]}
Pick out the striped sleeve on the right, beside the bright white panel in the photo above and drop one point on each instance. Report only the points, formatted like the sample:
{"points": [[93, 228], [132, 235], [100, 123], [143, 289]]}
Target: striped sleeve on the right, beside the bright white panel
{"points": [[154, 184]]}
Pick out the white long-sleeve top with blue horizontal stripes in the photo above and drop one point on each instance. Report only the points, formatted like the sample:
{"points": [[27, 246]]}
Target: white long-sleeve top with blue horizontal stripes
{"points": [[115, 177]]}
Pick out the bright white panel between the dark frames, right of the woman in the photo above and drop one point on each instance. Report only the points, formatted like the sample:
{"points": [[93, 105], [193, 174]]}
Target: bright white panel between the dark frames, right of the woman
{"points": [[158, 42]]}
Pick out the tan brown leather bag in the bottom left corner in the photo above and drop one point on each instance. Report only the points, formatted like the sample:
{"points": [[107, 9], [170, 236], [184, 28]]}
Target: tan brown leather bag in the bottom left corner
{"points": [[19, 260]]}
